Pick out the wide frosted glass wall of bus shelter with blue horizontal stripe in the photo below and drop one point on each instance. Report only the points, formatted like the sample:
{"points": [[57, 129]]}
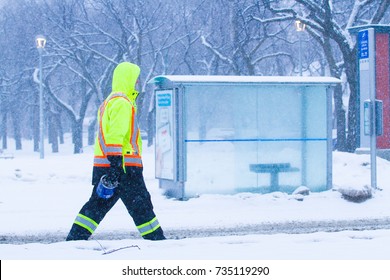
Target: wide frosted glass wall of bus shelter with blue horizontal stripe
{"points": [[279, 129]]}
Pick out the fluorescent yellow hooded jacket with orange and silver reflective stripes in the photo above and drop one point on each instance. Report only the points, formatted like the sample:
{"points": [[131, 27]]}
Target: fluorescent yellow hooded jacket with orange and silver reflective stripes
{"points": [[118, 133]]}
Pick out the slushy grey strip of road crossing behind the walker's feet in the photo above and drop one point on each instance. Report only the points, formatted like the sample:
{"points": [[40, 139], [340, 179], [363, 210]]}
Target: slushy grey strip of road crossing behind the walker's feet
{"points": [[293, 227]]}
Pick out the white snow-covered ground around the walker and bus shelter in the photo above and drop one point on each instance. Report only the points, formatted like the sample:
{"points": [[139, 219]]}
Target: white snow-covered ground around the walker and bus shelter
{"points": [[39, 199]]}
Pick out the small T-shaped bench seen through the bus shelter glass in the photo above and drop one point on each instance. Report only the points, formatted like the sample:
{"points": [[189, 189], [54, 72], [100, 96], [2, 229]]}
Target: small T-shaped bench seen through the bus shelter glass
{"points": [[274, 169]]}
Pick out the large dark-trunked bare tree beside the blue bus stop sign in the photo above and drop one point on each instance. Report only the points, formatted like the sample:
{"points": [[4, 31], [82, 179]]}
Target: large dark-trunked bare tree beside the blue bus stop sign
{"points": [[328, 22]]}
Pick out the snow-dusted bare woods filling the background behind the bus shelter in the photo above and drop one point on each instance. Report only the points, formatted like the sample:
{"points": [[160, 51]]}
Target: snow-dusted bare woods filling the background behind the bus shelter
{"points": [[87, 38]]}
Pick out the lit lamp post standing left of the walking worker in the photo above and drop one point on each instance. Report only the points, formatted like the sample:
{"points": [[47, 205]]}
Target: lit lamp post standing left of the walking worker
{"points": [[40, 43]]}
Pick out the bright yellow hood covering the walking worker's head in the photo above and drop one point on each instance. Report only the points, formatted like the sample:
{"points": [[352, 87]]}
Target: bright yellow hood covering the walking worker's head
{"points": [[124, 79]]}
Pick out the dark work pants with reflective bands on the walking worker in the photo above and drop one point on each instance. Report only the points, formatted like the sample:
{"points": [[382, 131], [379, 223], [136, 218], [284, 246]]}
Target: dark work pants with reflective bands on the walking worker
{"points": [[132, 191]]}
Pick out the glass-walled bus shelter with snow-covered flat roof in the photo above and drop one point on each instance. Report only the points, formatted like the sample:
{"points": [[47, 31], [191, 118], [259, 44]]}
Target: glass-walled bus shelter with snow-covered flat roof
{"points": [[230, 134]]}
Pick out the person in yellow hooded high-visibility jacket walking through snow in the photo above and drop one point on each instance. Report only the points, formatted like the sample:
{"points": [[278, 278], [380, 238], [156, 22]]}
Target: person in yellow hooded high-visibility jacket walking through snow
{"points": [[117, 169]]}
